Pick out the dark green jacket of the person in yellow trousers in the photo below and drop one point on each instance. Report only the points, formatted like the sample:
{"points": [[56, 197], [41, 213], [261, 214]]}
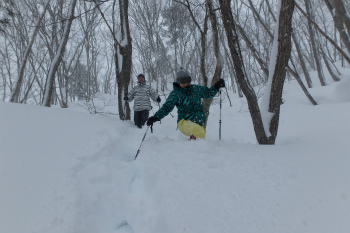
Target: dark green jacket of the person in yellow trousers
{"points": [[188, 102]]}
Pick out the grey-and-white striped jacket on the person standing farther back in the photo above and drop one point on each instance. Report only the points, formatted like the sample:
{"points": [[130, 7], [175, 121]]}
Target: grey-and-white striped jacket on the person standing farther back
{"points": [[142, 94]]}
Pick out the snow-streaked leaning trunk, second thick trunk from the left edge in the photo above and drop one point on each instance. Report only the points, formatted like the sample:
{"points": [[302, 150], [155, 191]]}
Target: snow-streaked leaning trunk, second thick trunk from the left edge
{"points": [[58, 57]]}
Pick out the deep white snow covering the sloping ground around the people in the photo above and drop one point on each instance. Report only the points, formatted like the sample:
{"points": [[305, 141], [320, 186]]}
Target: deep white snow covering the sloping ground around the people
{"points": [[64, 171]]}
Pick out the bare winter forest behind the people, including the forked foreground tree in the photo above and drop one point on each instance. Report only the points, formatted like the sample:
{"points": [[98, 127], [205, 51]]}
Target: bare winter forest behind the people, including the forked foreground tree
{"points": [[56, 52]]}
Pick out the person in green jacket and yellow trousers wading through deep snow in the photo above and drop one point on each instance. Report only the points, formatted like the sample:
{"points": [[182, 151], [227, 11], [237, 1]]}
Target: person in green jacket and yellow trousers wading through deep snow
{"points": [[187, 98]]}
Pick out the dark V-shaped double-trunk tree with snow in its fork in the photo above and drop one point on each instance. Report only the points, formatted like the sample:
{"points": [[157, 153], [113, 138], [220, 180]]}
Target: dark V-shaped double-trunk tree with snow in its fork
{"points": [[265, 121]]}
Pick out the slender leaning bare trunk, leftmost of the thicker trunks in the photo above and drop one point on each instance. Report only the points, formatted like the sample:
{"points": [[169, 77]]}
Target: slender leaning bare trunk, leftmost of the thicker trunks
{"points": [[16, 91]]}
